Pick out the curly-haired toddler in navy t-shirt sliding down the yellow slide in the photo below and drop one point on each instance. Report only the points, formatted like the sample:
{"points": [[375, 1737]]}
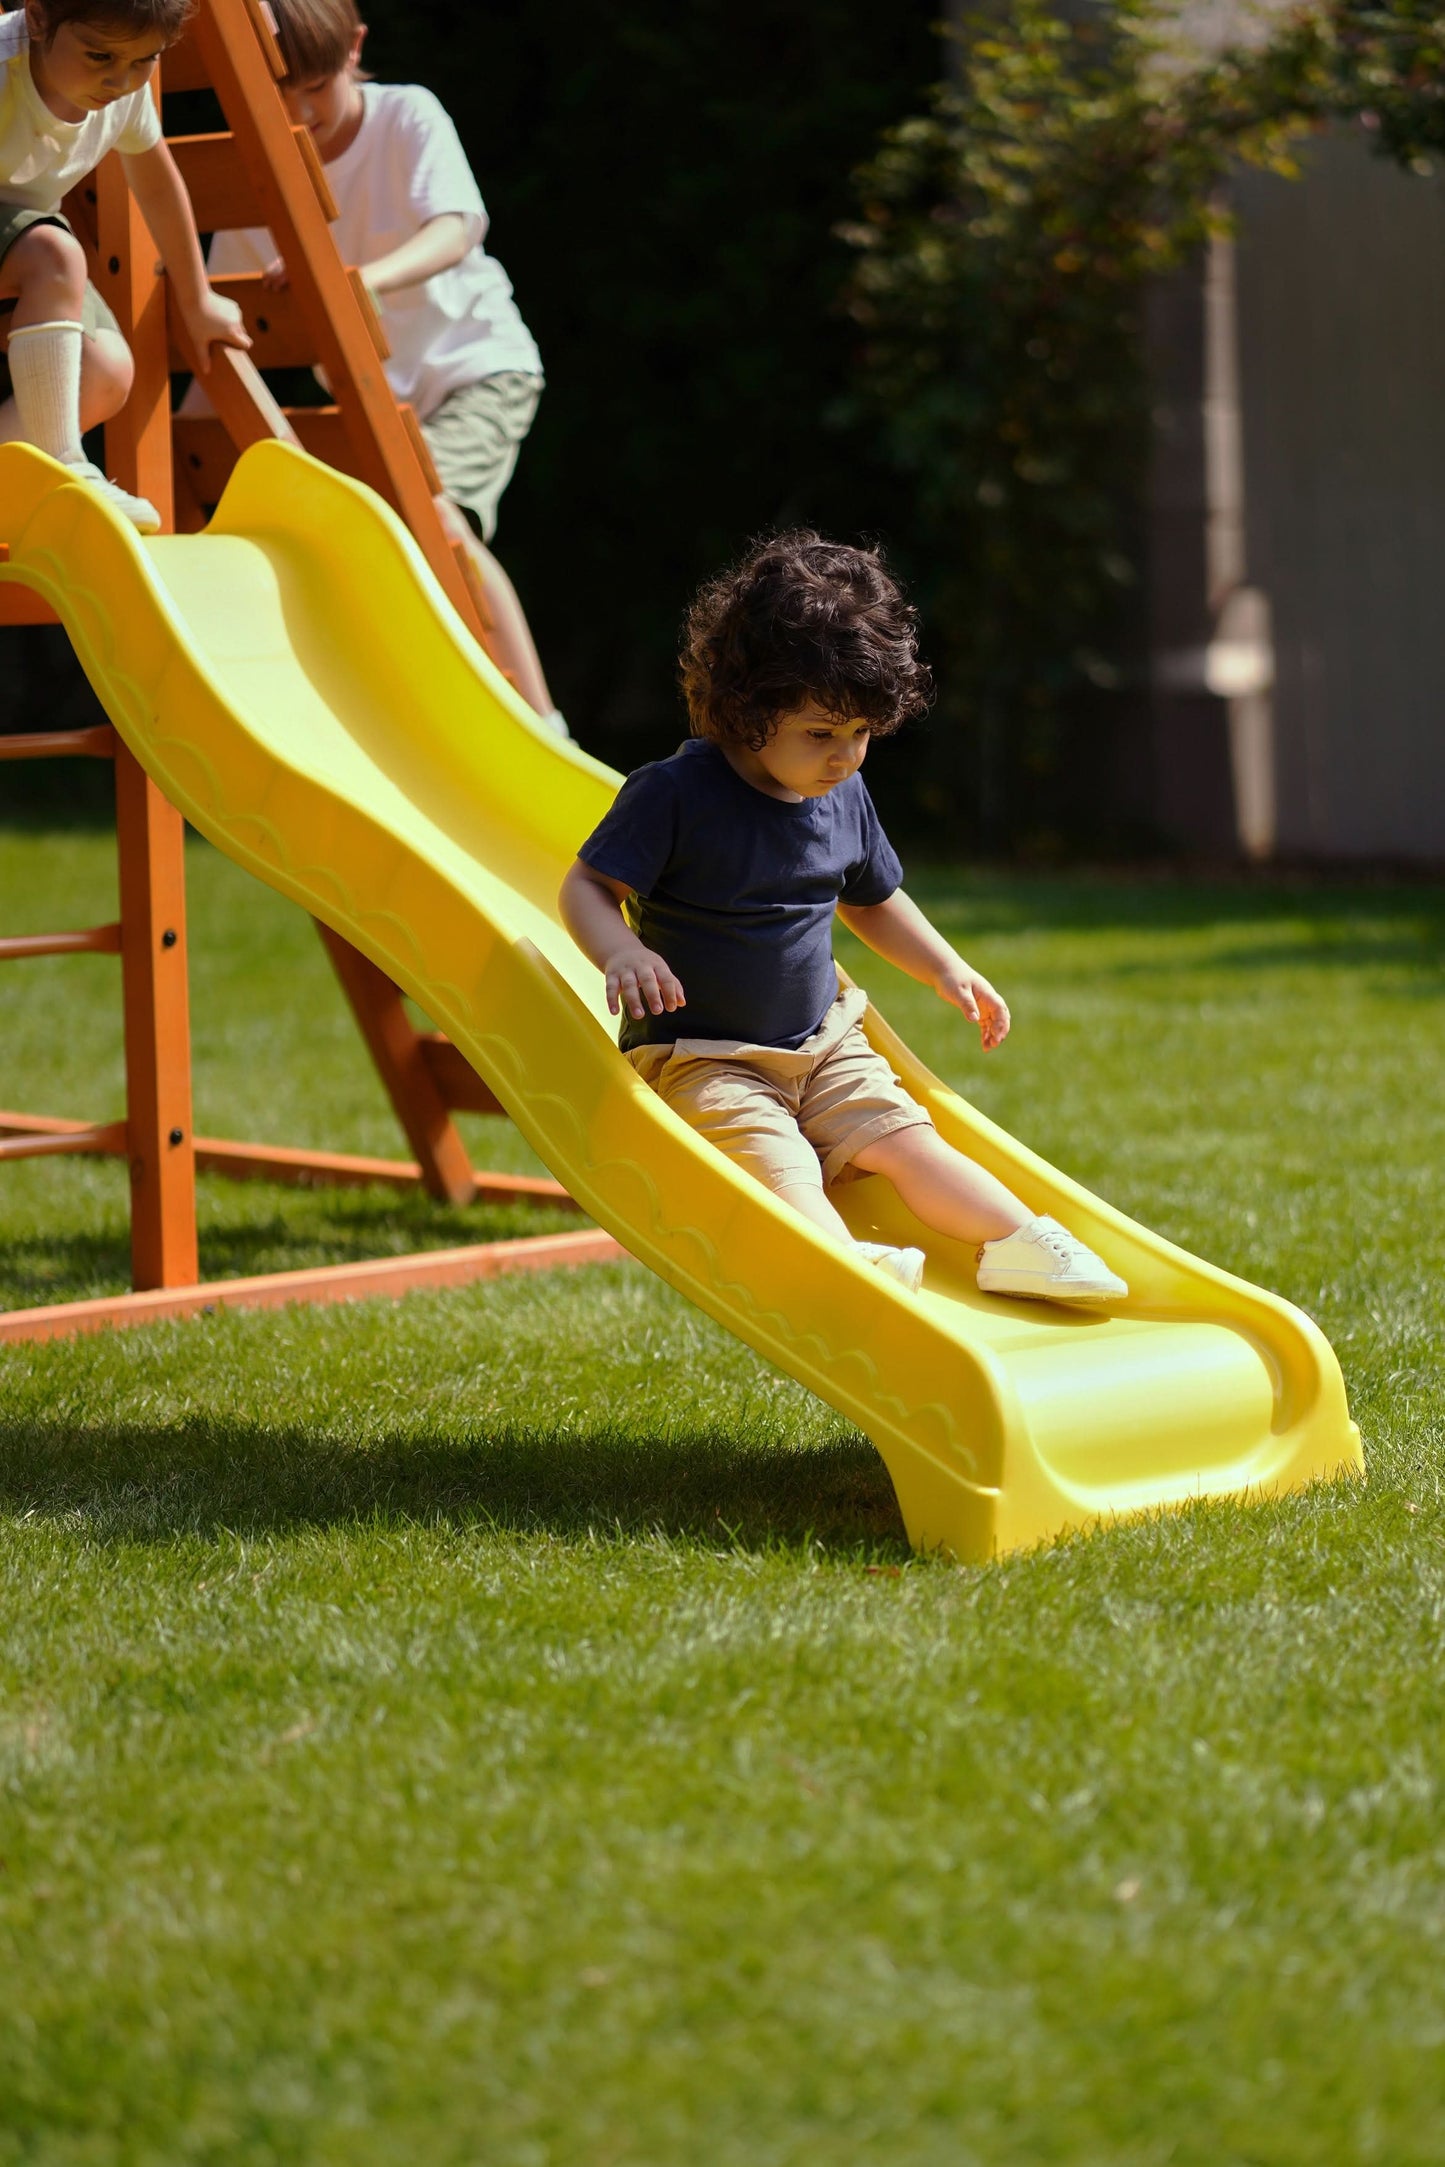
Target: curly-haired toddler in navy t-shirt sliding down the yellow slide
{"points": [[733, 859]]}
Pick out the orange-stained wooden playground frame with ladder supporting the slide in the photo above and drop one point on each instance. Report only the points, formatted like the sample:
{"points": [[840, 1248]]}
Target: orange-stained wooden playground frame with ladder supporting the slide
{"points": [[259, 172]]}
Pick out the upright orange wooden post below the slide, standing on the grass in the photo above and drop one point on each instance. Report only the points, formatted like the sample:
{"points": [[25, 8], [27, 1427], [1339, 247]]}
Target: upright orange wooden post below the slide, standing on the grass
{"points": [[151, 838]]}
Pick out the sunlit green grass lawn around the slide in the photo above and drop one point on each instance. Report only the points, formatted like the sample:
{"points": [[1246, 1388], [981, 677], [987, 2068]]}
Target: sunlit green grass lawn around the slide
{"points": [[510, 1728]]}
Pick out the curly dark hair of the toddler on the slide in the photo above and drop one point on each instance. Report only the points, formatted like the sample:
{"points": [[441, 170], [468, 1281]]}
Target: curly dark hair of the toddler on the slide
{"points": [[800, 621]]}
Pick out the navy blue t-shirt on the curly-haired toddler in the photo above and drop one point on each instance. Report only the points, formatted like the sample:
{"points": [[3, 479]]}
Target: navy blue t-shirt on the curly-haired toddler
{"points": [[738, 892]]}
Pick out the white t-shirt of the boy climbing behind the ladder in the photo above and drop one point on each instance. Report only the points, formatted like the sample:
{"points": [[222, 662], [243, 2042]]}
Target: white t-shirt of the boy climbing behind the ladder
{"points": [[406, 166]]}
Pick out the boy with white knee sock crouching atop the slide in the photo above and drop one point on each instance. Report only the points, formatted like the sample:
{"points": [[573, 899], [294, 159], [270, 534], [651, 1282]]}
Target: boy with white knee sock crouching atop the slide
{"points": [[75, 83]]}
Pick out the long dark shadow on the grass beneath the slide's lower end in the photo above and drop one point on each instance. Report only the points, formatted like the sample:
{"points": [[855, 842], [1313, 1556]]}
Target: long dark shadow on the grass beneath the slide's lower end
{"points": [[135, 1483]]}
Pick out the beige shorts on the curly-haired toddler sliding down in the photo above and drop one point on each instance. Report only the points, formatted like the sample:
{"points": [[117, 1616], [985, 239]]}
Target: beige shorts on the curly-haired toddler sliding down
{"points": [[787, 1117]]}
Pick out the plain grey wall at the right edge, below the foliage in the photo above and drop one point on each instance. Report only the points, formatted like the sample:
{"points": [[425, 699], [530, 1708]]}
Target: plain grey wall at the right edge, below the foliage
{"points": [[1342, 391]]}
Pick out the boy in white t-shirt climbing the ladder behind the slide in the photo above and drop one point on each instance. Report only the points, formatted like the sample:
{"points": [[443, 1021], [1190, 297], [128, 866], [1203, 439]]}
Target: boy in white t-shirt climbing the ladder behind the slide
{"points": [[413, 222]]}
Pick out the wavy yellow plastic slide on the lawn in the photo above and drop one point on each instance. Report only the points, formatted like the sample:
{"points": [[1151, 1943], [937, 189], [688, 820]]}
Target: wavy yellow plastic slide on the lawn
{"points": [[298, 684]]}
